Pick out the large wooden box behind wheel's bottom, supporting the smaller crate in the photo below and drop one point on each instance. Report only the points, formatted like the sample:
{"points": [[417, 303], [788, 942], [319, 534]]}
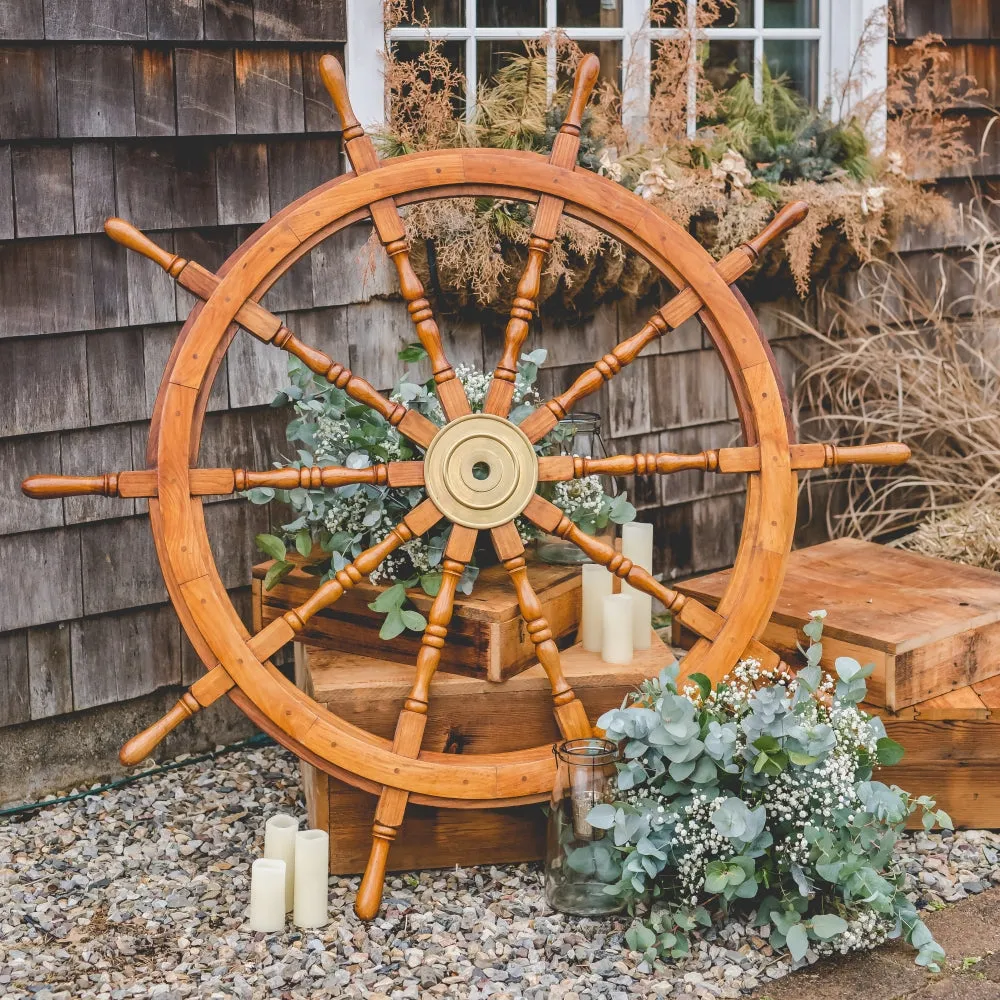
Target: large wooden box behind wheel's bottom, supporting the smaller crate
{"points": [[467, 715]]}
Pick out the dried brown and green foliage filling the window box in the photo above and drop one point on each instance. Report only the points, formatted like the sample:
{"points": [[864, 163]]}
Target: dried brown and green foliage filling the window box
{"points": [[747, 157]]}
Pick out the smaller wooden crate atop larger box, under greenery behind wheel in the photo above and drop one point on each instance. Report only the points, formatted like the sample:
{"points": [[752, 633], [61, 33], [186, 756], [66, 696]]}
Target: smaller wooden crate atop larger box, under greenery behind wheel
{"points": [[487, 636]]}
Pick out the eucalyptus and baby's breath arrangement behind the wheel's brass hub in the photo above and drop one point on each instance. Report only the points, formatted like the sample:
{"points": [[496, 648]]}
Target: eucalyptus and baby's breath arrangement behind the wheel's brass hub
{"points": [[333, 526]]}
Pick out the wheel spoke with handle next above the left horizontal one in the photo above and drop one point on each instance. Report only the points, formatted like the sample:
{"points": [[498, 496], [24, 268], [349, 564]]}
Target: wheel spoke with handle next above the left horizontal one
{"points": [[264, 325]]}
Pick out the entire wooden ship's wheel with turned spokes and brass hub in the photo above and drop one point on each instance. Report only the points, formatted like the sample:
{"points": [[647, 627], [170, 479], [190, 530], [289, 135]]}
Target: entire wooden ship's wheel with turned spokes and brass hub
{"points": [[479, 470]]}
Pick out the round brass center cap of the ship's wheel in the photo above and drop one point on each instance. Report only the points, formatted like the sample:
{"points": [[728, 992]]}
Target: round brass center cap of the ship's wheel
{"points": [[480, 470]]}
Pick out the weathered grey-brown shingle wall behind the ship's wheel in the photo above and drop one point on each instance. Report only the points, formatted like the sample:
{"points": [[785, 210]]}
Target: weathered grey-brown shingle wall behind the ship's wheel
{"points": [[197, 119]]}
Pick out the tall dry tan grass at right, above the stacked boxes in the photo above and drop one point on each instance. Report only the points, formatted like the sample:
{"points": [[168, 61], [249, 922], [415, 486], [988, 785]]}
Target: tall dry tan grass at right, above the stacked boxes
{"points": [[914, 360]]}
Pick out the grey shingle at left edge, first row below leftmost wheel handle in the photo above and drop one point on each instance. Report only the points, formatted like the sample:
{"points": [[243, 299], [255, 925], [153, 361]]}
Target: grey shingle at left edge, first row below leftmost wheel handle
{"points": [[52, 591]]}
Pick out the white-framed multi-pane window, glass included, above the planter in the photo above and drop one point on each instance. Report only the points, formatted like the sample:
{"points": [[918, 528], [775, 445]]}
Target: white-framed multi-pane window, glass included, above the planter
{"points": [[796, 37]]}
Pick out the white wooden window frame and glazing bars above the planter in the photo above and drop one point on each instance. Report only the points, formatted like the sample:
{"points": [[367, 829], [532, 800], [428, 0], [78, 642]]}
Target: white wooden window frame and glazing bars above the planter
{"points": [[836, 45]]}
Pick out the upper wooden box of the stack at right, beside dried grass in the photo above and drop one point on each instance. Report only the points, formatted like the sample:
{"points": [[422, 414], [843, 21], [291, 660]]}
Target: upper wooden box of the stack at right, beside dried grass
{"points": [[929, 626]]}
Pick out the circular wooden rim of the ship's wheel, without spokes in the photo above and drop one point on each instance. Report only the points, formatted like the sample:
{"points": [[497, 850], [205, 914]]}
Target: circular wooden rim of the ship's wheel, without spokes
{"points": [[177, 518]]}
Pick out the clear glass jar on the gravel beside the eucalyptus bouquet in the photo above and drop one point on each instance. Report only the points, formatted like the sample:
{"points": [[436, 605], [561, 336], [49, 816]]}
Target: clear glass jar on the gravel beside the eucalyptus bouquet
{"points": [[578, 864]]}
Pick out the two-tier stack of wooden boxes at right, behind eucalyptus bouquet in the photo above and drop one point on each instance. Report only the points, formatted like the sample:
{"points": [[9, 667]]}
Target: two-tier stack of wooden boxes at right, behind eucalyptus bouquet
{"points": [[932, 629]]}
